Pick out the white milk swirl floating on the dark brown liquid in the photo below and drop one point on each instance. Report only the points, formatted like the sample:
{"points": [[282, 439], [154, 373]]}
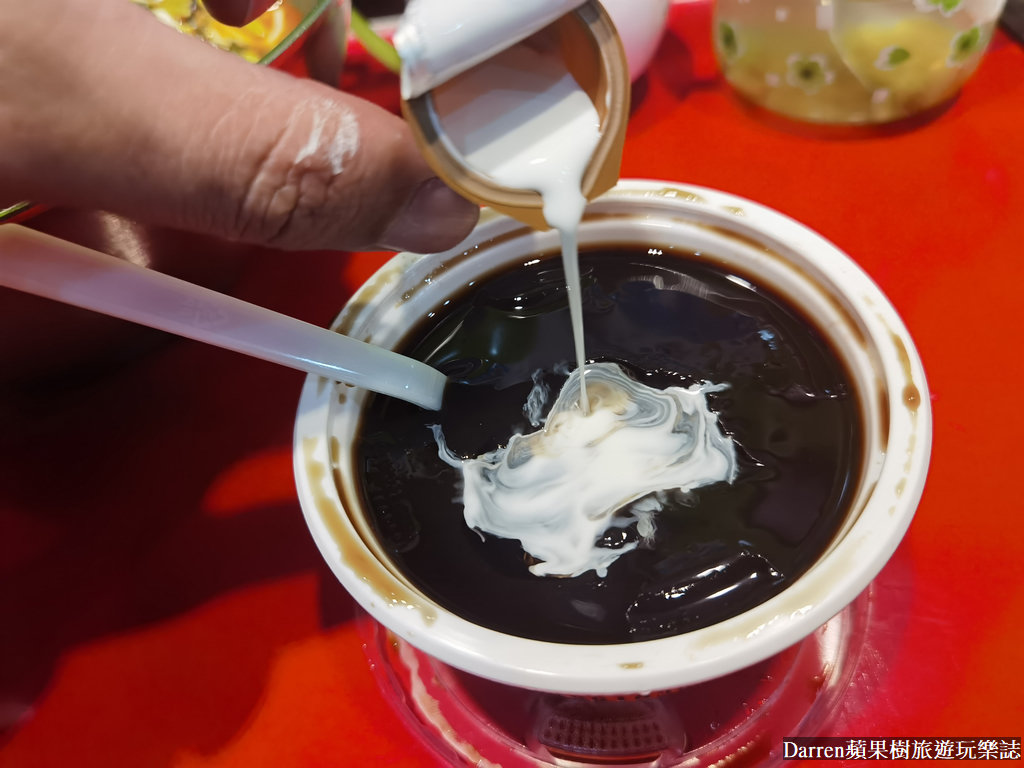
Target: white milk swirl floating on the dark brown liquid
{"points": [[559, 490]]}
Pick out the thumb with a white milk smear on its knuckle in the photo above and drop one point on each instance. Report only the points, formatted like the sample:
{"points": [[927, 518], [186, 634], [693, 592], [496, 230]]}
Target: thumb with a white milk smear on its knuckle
{"points": [[165, 130]]}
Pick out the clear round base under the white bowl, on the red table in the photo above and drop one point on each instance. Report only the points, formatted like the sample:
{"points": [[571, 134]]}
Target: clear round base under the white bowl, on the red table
{"points": [[741, 719]]}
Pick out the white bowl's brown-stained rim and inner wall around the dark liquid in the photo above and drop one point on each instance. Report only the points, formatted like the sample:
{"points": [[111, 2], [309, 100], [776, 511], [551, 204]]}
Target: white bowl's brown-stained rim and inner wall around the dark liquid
{"points": [[785, 257]]}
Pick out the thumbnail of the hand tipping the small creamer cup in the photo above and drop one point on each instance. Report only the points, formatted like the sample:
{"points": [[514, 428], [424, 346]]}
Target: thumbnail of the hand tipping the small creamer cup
{"points": [[435, 219]]}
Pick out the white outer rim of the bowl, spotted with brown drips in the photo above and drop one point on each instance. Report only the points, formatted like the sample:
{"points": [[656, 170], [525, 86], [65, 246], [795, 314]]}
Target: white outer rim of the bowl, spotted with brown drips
{"points": [[681, 660]]}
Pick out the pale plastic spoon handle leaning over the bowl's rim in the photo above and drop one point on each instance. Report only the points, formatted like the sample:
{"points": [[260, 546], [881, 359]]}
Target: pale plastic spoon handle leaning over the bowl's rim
{"points": [[48, 267]]}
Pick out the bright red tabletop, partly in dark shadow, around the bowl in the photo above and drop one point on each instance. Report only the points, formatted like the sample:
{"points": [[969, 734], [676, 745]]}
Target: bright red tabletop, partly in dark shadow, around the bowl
{"points": [[162, 603]]}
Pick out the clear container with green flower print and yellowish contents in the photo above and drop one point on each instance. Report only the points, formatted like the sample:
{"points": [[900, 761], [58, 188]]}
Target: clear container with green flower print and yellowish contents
{"points": [[851, 62]]}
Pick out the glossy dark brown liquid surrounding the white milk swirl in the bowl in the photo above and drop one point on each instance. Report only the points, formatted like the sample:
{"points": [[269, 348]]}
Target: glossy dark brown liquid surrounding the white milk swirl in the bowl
{"points": [[718, 550]]}
